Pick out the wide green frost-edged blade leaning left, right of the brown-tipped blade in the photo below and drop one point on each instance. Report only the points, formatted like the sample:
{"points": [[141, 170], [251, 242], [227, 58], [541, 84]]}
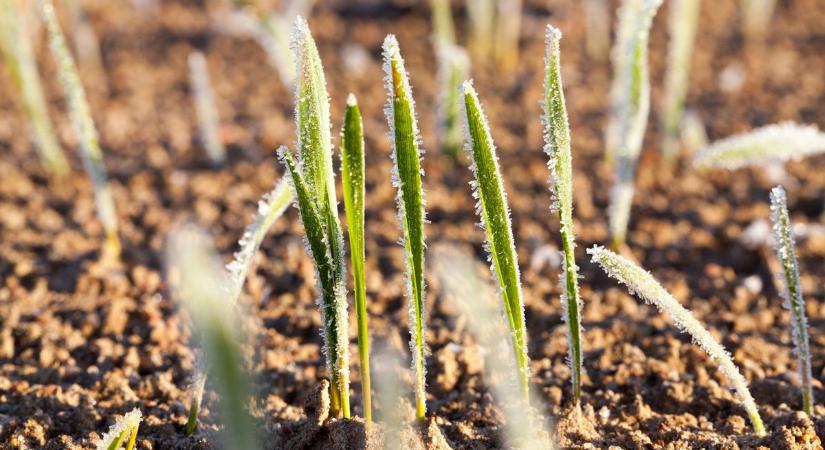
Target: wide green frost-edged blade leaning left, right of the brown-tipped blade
{"points": [[494, 213]]}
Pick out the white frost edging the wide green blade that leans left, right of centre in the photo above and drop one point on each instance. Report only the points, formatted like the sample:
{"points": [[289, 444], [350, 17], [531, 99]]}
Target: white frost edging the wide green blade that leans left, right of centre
{"points": [[468, 89]]}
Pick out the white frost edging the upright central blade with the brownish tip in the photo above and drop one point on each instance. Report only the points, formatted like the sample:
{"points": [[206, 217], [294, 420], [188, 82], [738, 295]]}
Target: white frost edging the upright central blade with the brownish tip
{"points": [[392, 53]]}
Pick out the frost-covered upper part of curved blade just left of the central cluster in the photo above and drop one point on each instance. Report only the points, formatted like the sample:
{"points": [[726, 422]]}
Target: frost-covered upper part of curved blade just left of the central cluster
{"points": [[270, 207]]}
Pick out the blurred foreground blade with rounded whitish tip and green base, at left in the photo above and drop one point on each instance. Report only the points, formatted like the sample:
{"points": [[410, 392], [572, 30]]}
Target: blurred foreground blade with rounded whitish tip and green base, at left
{"points": [[198, 283]]}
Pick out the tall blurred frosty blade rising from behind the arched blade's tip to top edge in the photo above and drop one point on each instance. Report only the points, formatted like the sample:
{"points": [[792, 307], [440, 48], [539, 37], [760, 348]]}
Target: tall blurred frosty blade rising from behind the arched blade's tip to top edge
{"points": [[629, 107]]}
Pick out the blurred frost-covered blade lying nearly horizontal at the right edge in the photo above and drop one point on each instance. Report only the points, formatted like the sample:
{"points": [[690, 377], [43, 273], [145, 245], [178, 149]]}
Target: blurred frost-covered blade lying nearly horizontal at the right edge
{"points": [[769, 144]]}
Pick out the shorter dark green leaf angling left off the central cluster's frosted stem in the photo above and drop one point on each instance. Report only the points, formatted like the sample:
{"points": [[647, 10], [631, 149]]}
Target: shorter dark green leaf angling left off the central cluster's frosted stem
{"points": [[333, 301]]}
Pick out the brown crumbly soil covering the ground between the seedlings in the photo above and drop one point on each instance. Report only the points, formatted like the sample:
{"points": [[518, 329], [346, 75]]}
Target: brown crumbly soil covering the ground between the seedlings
{"points": [[81, 343]]}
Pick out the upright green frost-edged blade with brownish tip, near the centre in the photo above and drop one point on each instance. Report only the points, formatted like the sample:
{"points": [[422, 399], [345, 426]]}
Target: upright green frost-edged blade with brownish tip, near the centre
{"points": [[406, 155]]}
